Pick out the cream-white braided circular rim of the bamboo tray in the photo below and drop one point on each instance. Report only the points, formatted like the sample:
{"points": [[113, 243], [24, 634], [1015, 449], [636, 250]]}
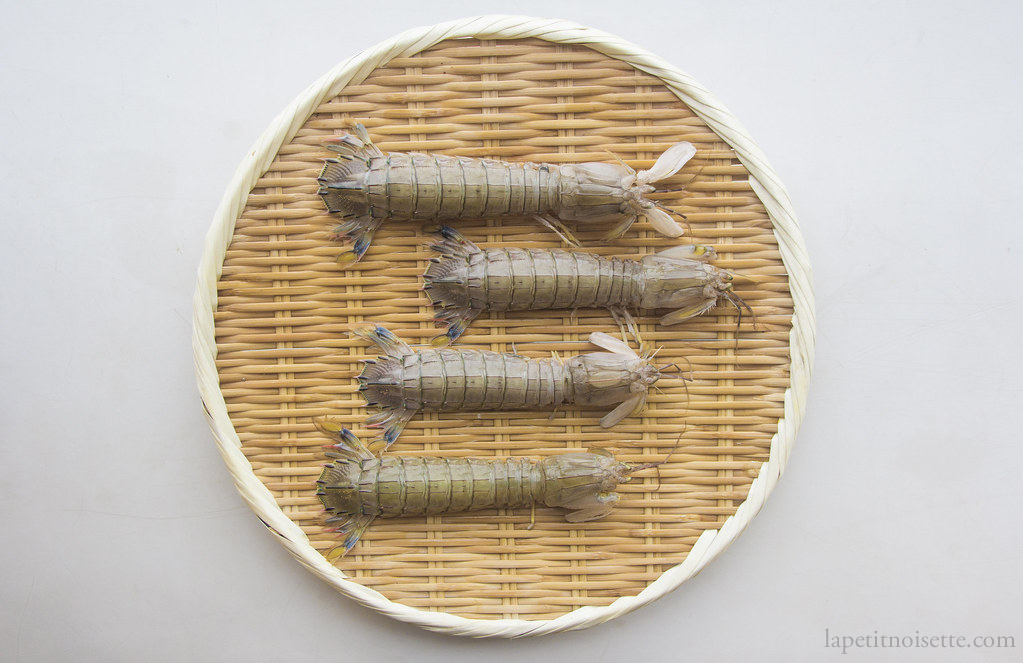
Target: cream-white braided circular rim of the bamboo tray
{"points": [[765, 183]]}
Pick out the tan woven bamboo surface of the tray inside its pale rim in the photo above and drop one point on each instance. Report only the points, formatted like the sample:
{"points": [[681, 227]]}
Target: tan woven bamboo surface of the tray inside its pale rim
{"points": [[284, 310]]}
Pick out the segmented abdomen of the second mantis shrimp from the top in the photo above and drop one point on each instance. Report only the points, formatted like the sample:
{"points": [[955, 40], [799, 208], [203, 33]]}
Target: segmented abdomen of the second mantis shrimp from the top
{"points": [[521, 280]]}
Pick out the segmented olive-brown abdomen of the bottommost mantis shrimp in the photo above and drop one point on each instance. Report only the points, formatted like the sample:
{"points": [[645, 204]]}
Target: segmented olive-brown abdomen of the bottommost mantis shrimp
{"points": [[394, 487]]}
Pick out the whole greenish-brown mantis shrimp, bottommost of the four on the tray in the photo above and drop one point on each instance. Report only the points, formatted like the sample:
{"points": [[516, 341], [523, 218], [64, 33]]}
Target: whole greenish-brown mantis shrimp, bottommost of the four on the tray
{"points": [[358, 487]]}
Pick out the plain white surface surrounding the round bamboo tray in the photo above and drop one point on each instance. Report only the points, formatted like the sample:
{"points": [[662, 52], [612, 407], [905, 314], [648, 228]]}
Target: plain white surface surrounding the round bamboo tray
{"points": [[897, 127]]}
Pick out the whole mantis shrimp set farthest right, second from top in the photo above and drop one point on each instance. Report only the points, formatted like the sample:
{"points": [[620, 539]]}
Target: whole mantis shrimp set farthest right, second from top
{"points": [[466, 281]]}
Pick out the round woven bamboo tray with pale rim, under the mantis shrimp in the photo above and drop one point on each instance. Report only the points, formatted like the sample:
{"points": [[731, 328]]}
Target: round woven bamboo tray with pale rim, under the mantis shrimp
{"points": [[274, 310]]}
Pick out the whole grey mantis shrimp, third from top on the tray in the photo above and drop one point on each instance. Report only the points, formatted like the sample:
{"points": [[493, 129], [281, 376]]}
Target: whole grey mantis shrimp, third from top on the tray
{"points": [[405, 381]]}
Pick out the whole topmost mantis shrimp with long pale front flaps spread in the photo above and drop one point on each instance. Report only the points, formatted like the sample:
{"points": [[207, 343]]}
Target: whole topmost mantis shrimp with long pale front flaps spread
{"points": [[366, 187]]}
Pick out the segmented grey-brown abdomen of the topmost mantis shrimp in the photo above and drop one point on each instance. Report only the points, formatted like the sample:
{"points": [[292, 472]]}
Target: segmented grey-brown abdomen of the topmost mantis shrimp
{"points": [[429, 187]]}
